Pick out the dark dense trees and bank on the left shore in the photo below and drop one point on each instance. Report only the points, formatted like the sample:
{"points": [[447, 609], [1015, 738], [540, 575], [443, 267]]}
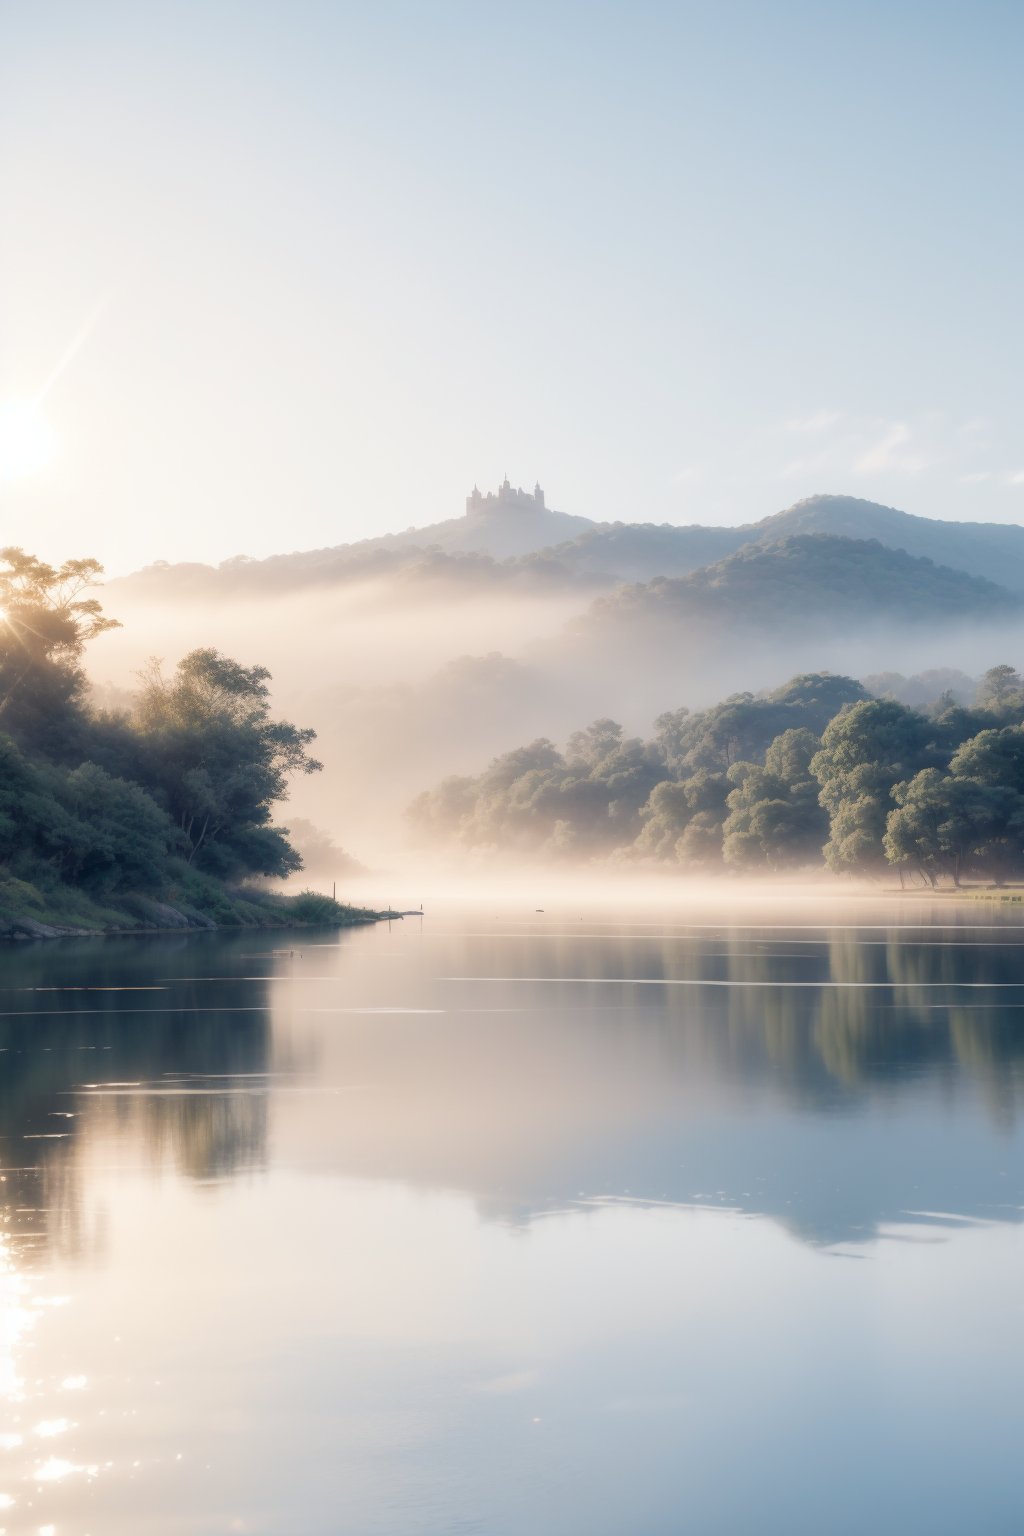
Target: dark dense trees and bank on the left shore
{"points": [[147, 818]]}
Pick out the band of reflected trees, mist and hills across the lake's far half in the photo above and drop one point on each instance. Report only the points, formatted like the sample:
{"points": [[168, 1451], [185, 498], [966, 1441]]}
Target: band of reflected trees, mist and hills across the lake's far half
{"points": [[831, 1081]]}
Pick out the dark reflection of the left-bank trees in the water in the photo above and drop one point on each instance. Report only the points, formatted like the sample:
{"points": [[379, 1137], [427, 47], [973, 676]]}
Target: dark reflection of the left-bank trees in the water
{"points": [[187, 1058]]}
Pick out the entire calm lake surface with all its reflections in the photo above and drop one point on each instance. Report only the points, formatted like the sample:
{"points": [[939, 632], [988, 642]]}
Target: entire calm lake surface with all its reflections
{"points": [[518, 1223]]}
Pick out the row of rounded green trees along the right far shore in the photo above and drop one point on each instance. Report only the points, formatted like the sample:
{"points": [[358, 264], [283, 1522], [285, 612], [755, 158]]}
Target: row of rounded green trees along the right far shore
{"points": [[816, 770]]}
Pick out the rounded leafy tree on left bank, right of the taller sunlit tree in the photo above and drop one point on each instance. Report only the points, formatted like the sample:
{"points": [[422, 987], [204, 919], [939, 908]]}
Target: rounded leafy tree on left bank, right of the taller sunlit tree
{"points": [[219, 763]]}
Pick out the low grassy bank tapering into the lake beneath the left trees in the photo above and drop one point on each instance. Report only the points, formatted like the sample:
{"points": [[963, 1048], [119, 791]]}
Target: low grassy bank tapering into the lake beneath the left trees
{"points": [[51, 909]]}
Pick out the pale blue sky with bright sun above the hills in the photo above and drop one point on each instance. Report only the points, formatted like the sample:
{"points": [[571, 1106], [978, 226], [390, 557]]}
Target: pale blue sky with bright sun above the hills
{"points": [[283, 276]]}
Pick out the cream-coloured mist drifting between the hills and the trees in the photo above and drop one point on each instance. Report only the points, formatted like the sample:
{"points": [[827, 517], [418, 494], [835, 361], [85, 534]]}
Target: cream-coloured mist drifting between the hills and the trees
{"points": [[411, 678]]}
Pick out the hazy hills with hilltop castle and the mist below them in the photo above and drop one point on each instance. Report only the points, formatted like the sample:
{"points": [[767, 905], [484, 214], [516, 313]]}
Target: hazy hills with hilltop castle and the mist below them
{"points": [[424, 654]]}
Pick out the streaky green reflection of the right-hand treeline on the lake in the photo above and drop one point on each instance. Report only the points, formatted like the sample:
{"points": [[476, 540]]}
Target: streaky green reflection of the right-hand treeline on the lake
{"points": [[860, 1018]]}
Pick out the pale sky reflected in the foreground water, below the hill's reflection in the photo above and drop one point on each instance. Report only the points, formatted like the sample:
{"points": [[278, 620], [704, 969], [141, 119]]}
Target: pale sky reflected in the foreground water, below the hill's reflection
{"points": [[358, 1357]]}
